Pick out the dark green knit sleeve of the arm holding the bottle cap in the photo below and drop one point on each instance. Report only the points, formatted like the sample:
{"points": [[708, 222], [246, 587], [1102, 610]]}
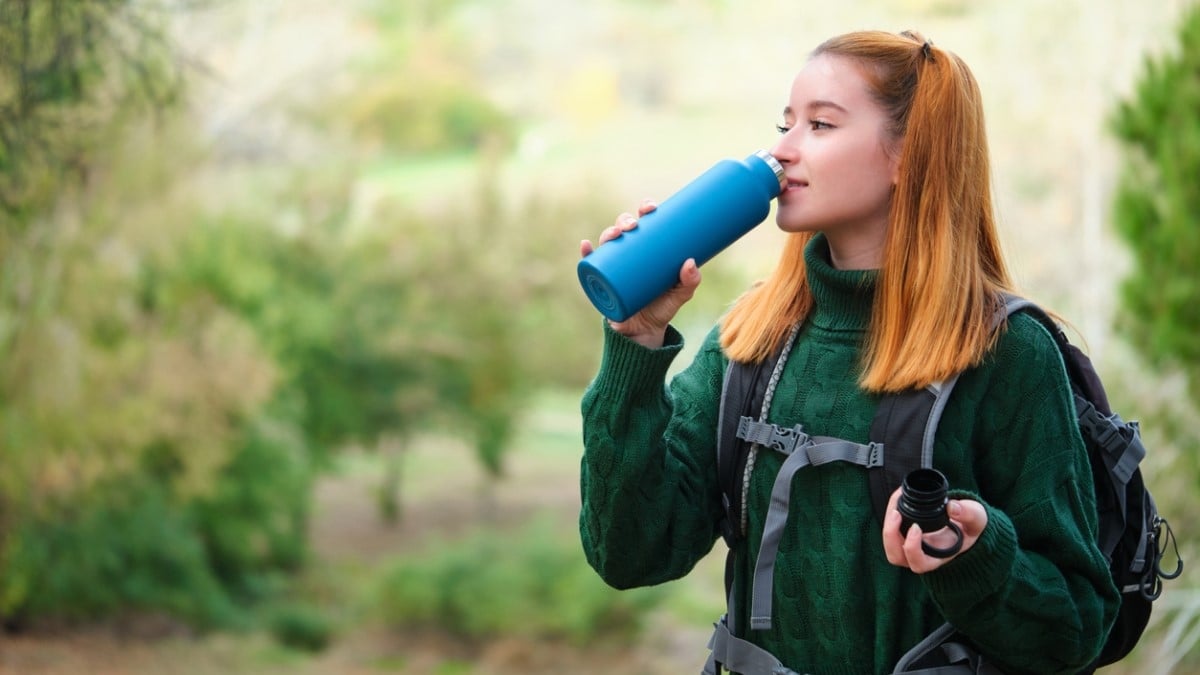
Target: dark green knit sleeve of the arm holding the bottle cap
{"points": [[1035, 593]]}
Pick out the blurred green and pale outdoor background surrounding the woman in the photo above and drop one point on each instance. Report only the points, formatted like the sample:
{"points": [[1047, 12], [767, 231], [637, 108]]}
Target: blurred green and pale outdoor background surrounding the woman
{"points": [[293, 347]]}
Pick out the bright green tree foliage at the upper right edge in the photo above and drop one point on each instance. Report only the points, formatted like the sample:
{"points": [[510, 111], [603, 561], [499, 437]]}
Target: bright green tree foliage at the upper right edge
{"points": [[1159, 205]]}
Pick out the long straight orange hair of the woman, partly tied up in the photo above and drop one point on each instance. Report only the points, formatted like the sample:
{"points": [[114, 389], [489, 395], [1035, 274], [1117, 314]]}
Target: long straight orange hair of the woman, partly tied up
{"points": [[943, 265]]}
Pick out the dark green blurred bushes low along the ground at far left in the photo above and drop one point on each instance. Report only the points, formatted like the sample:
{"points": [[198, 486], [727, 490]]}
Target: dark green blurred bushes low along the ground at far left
{"points": [[131, 542]]}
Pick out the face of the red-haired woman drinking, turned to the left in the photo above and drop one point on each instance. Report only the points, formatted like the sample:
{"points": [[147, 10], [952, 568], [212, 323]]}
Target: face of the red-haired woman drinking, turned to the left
{"points": [[838, 154]]}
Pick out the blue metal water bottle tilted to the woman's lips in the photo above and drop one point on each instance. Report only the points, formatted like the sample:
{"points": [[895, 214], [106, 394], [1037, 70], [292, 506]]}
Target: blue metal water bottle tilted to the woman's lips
{"points": [[712, 212]]}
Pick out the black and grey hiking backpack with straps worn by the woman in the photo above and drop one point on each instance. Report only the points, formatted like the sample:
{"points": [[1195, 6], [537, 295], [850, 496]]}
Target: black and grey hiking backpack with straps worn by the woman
{"points": [[1132, 535]]}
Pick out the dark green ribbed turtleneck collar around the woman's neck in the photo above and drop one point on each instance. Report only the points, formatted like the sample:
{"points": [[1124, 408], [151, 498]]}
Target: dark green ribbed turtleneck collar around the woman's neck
{"points": [[843, 298]]}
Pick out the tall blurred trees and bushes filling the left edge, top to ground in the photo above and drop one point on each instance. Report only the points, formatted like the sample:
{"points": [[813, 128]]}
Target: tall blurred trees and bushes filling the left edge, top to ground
{"points": [[133, 434]]}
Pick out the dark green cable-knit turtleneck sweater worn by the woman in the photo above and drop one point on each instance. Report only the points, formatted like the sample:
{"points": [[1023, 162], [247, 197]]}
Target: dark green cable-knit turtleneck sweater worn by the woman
{"points": [[1034, 593]]}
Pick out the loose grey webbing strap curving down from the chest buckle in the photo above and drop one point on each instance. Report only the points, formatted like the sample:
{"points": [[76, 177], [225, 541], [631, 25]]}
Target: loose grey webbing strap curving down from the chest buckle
{"points": [[814, 452]]}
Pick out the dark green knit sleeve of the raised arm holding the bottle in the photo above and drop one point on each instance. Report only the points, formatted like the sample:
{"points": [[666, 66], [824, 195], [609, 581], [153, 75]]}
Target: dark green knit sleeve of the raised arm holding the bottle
{"points": [[649, 480]]}
